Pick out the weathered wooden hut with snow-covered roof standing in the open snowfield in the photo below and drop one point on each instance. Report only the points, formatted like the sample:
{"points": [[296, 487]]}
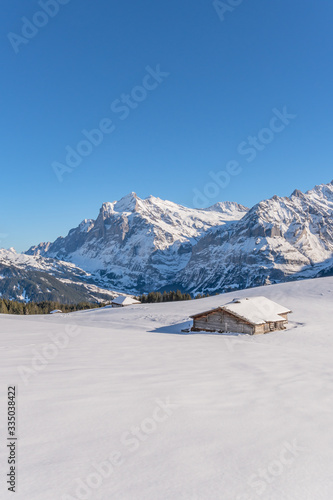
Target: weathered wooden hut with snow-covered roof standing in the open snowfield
{"points": [[250, 315]]}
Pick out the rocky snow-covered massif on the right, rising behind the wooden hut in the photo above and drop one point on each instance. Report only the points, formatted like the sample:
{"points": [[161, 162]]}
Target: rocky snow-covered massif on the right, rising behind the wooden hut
{"points": [[277, 240]]}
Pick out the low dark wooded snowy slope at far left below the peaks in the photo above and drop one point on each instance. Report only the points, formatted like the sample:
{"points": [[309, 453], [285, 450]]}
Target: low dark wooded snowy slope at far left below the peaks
{"points": [[29, 278]]}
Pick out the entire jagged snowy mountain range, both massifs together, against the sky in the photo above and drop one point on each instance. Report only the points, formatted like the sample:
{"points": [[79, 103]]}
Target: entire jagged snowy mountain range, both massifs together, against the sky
{"points": [[138, 245]]}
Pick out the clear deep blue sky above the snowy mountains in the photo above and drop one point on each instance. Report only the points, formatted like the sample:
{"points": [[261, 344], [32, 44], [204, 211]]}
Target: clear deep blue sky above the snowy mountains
{"points": [[225, 78]]}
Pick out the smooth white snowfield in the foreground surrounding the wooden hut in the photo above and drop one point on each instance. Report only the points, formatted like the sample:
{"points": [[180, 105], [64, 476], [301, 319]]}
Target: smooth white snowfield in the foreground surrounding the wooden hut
{"points": [[253, 414]]}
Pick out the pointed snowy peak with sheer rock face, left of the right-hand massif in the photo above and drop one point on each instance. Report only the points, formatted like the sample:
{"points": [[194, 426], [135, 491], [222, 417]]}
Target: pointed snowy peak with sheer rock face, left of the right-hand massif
{"points": [[138, 245]]}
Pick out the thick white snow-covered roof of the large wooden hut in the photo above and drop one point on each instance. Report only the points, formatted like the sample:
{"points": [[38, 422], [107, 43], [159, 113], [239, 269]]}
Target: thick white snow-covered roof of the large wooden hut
{"points": [[256, 310]]}
